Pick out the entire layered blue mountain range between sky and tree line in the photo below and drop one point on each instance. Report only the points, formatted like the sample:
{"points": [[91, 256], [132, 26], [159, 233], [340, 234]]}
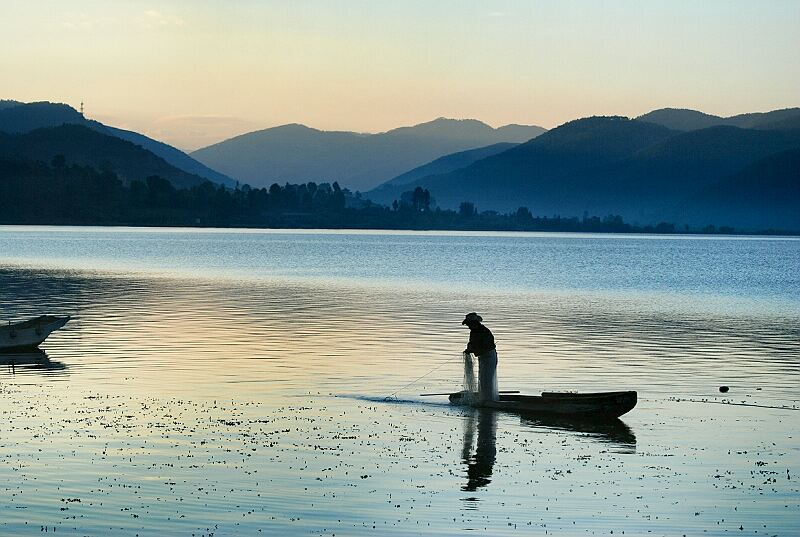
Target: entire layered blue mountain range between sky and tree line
{"points": [[669, 165]]}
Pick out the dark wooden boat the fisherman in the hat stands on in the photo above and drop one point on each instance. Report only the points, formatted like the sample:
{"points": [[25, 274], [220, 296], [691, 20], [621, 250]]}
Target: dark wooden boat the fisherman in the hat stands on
{"points": [[603, 405]]}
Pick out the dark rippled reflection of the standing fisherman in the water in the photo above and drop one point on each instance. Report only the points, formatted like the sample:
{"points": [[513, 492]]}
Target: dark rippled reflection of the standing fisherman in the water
{"points": [[479, 466]]}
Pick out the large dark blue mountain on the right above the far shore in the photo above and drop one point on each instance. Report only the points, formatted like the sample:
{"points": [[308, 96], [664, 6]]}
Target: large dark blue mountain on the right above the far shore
{"points": [[640, 170]]}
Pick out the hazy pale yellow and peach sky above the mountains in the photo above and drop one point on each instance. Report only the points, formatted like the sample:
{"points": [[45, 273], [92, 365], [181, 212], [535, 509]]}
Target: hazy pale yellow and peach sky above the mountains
{"points": [[192, 72]]}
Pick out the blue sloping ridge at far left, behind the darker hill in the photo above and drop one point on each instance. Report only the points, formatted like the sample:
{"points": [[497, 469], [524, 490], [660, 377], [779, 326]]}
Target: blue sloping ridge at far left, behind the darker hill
{"points": [[21, 118]]}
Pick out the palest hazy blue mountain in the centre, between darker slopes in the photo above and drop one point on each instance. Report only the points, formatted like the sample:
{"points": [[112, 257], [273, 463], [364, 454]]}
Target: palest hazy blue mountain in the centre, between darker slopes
{"points": [[296, 153]]}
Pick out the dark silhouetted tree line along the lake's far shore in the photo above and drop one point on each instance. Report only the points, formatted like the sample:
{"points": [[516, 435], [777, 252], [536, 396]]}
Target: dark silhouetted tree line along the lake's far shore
{"points": [[33, 192]]}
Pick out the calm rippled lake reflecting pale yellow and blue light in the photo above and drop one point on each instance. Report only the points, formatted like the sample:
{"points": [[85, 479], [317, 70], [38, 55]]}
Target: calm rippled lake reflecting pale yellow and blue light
{"points": [[243, 382]]}
